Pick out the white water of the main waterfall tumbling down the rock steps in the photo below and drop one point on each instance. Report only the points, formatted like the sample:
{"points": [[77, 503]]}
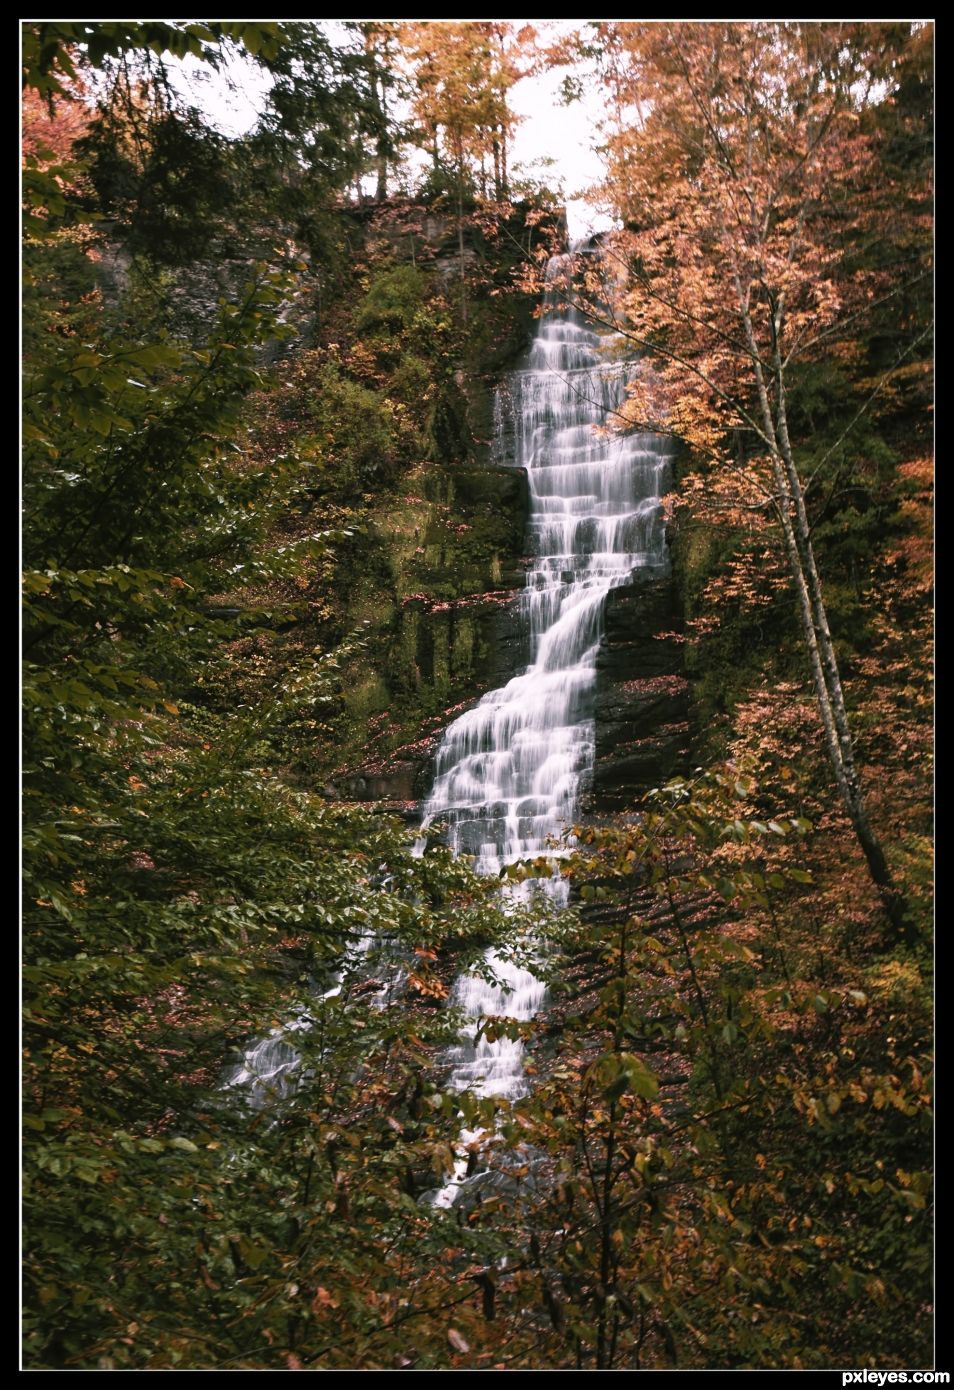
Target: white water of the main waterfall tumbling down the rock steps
{"points": [[511, 771]]}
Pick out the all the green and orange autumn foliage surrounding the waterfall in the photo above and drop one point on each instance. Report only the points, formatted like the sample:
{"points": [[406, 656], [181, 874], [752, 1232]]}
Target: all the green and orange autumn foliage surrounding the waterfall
{"points": [[724, 1160]]}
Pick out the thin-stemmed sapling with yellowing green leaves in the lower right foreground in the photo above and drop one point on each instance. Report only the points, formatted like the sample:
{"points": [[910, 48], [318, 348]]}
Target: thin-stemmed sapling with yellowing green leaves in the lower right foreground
{"points": [[728, 1143]]}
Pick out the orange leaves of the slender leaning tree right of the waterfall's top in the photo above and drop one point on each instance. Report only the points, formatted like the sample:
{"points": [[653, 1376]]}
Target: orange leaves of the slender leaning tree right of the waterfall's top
{"points": [[739, 184]]}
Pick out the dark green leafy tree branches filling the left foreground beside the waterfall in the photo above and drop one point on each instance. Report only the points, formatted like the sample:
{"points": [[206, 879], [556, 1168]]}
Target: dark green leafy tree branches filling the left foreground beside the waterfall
{"points": [[181, 900]]}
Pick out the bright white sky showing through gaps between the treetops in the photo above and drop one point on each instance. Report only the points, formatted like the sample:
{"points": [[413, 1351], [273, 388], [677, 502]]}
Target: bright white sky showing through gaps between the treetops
{"points": [[549, 130]]}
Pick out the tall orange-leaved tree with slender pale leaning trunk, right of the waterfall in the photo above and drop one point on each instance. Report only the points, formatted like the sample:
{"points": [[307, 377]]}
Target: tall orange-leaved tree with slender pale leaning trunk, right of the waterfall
{"points": [[754, 248]]}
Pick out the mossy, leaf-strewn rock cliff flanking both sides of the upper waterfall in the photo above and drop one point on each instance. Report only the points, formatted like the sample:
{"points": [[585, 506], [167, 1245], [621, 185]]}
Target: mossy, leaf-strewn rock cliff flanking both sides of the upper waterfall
{"points": [[437, 562]]}
